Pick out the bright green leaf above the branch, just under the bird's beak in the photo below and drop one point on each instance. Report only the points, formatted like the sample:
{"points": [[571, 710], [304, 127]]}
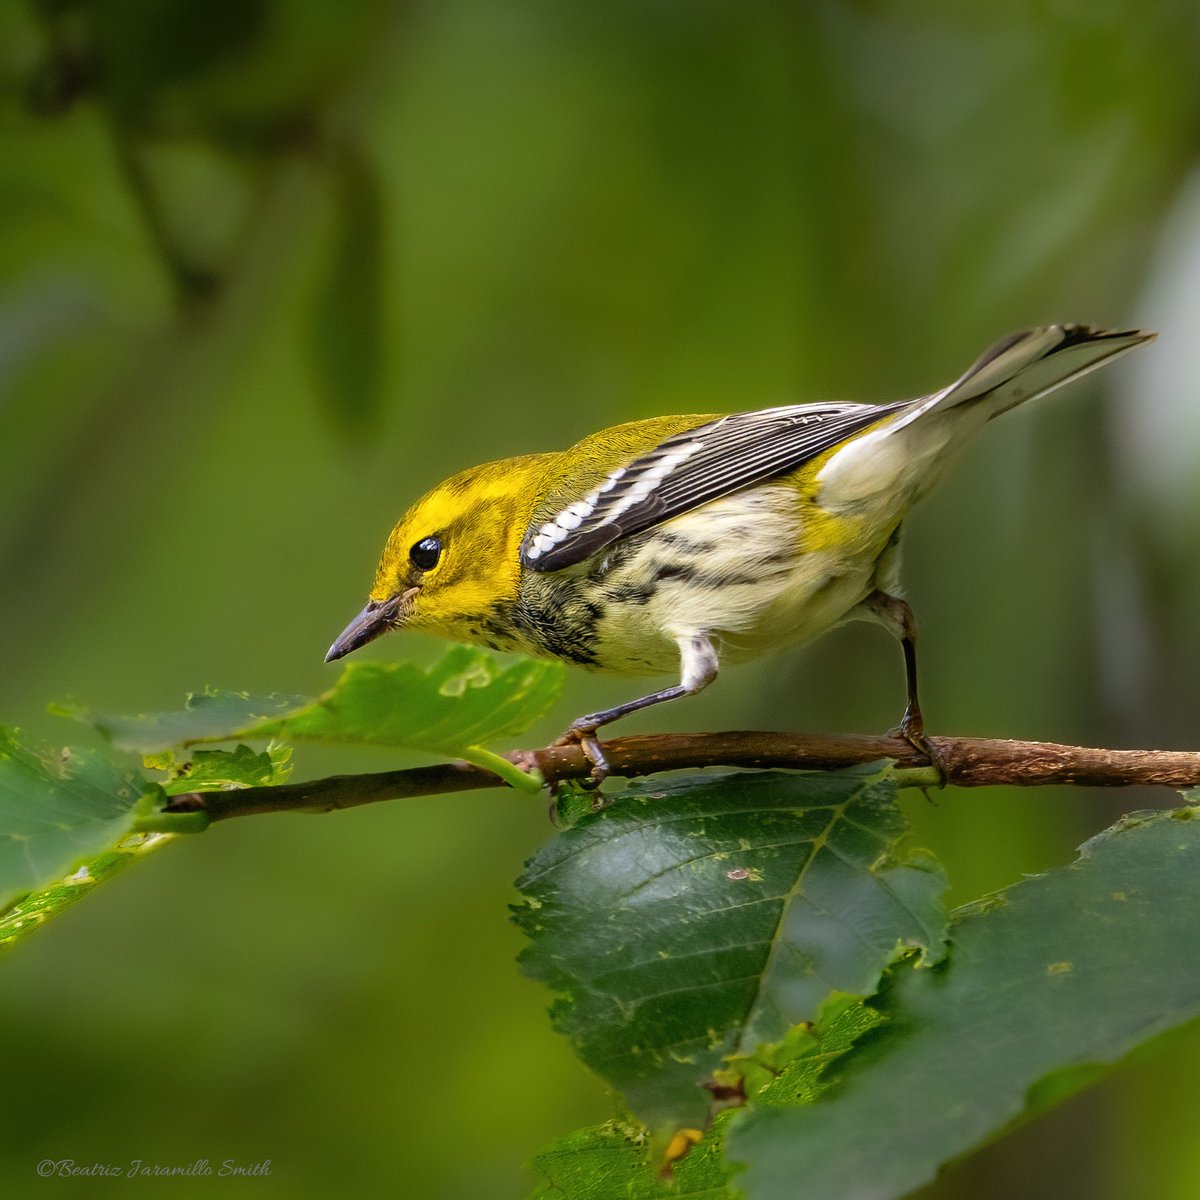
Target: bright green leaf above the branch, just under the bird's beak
{"points": [[464, 700]]}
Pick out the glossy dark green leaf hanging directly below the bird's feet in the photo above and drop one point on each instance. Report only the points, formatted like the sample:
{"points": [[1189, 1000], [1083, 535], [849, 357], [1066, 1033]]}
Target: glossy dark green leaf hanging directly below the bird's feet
{"points": [[694, 921]]}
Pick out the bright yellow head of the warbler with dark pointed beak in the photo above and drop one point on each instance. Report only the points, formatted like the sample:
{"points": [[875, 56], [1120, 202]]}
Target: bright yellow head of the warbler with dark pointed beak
{"points": [[453, 560]]}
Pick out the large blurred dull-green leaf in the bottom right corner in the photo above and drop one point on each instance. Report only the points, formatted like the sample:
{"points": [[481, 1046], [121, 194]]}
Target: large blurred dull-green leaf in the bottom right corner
{"points": [[1048, 981]]}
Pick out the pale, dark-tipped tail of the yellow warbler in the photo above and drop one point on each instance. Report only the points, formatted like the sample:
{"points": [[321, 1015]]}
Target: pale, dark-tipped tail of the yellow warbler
{"points": [[1028, 365]]}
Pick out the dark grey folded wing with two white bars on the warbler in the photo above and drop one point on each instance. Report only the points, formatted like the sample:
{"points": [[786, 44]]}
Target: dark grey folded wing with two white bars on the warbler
{"points": [[689, 470]]}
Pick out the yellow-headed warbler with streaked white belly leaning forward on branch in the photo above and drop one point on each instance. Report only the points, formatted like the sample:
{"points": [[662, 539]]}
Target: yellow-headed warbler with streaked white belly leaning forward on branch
{"points": [[677, 543]]}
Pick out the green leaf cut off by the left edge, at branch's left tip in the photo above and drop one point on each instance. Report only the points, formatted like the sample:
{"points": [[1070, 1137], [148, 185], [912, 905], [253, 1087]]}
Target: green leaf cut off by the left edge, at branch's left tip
{"points": [[59, 809]]}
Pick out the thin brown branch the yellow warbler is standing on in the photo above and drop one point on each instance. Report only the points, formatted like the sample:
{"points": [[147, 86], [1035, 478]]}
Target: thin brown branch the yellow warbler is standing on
{"points": [[965, 763]]}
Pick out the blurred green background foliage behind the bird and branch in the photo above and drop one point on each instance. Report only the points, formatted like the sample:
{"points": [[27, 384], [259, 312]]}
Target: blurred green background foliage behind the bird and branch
{"points": [[272, 268]]}
